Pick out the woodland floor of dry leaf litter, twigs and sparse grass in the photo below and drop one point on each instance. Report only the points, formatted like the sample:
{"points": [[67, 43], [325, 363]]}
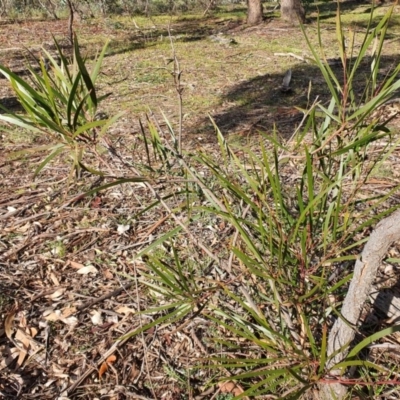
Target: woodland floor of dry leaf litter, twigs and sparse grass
{"points": [[69, 280]]}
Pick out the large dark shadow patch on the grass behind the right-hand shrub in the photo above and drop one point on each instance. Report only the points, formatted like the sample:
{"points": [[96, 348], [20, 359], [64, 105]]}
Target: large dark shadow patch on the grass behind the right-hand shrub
{"points": [[260, 104]]}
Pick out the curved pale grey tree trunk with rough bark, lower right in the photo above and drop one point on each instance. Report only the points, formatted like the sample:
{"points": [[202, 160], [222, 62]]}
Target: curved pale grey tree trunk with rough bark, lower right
{"points": [[385, 234]]}
